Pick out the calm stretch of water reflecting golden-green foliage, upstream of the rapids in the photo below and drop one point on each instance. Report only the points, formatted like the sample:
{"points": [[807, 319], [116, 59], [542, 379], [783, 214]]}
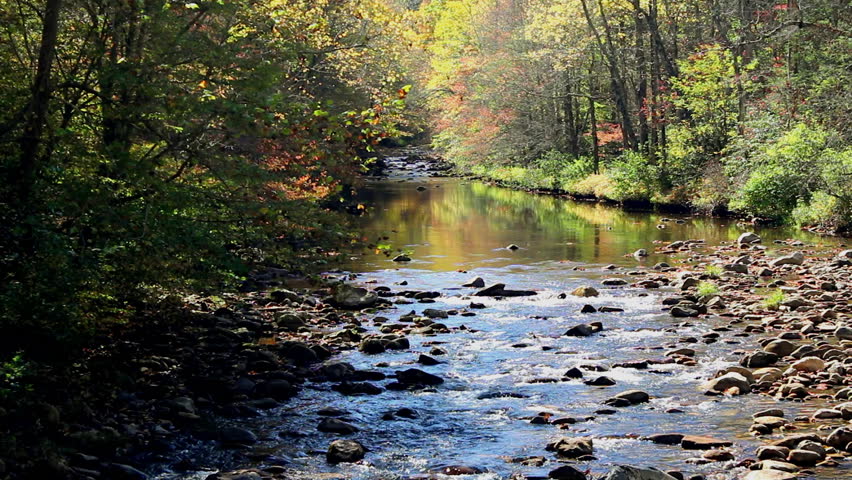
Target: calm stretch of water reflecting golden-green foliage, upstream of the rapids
{"points": [[453, 224]]}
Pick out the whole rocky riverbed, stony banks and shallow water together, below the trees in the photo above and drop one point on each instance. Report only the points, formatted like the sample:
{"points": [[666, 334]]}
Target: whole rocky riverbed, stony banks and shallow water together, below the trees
{"points": [[719, 359]]}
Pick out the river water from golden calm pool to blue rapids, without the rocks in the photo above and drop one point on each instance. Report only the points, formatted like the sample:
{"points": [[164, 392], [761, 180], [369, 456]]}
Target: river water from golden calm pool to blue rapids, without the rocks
{"points": [[455, 230]]}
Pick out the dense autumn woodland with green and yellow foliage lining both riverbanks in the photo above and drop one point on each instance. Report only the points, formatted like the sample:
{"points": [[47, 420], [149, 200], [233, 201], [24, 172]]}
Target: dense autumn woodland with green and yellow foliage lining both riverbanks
{"points": [[152, 148]]}
